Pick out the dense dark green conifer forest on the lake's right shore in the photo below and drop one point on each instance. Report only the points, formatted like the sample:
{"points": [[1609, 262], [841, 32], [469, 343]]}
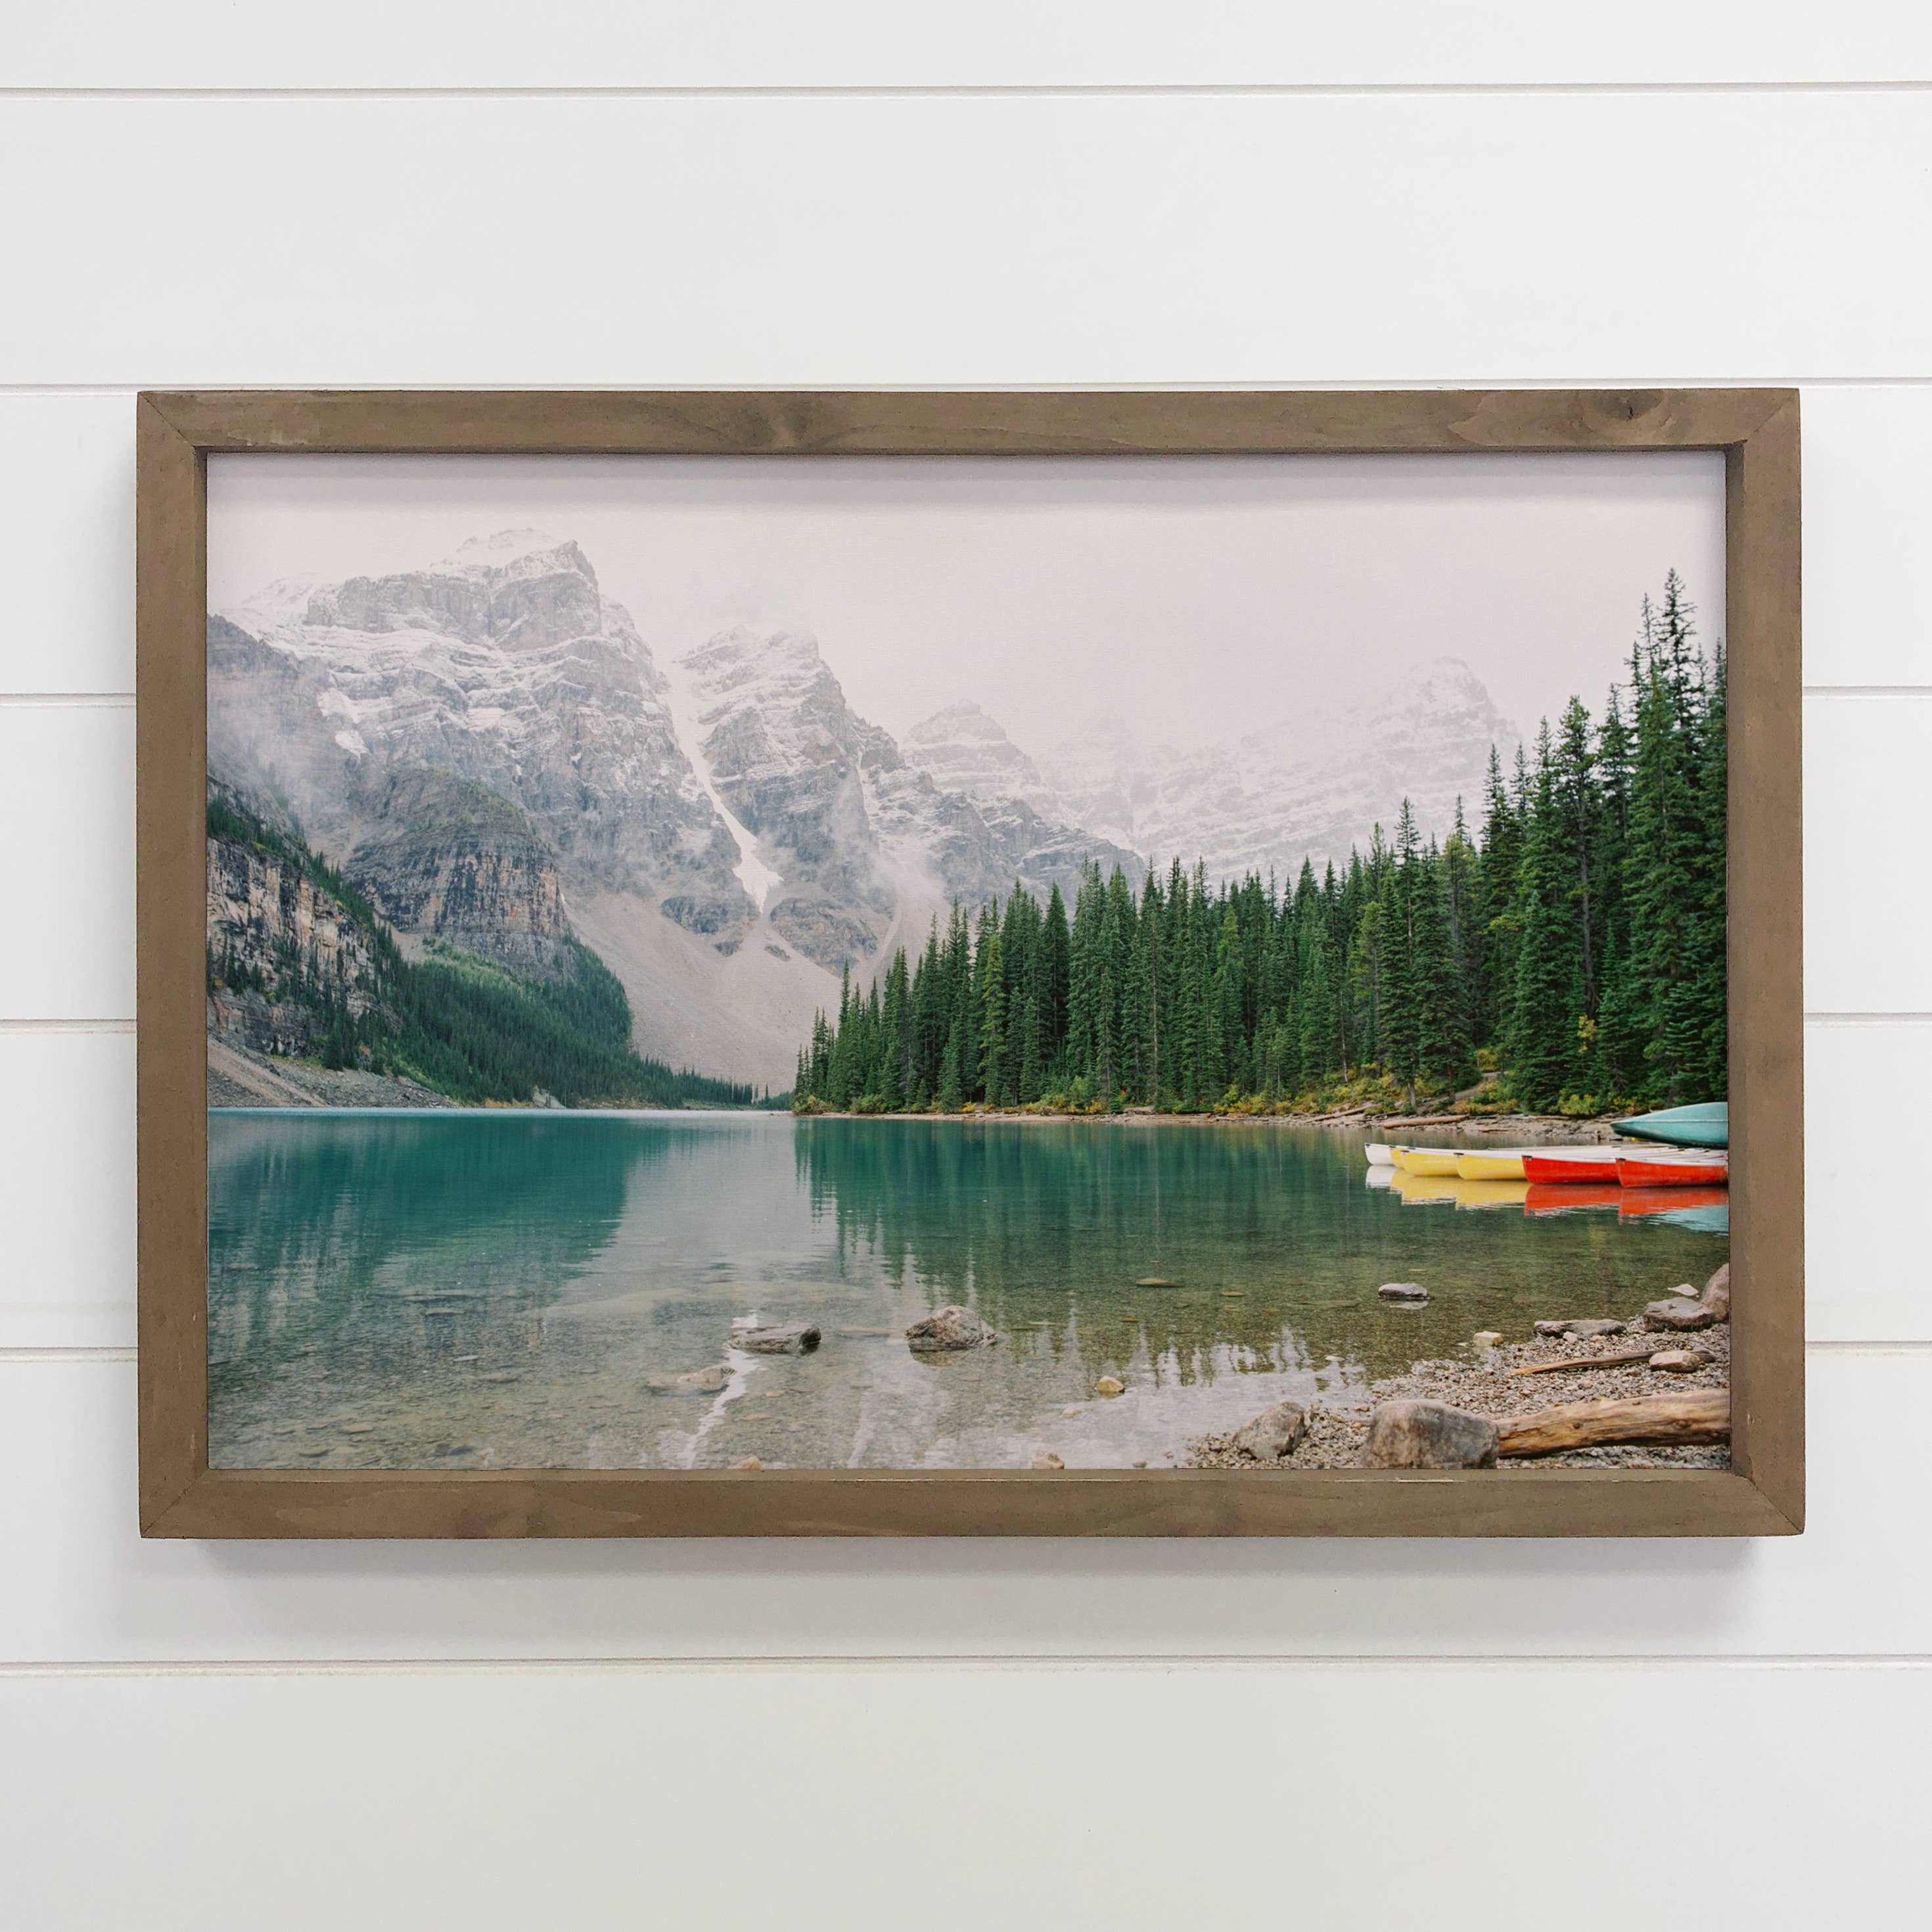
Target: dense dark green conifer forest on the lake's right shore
{"points": [[1574, 946]]}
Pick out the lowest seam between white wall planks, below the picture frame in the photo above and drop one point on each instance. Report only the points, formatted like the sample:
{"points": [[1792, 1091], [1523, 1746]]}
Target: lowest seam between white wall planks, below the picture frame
{"points": [[980, 1662]]}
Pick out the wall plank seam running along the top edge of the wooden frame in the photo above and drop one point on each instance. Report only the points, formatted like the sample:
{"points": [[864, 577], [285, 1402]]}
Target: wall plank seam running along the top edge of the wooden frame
{"points": [[1013, 385]]}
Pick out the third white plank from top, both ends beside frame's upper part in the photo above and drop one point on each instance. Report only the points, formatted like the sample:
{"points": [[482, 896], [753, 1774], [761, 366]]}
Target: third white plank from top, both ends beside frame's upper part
{"points": [[67, 484]]}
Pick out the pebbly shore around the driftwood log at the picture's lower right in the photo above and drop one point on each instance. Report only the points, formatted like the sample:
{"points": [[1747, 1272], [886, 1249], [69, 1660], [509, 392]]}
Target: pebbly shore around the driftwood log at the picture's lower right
{"points": [[1479, 1382]]}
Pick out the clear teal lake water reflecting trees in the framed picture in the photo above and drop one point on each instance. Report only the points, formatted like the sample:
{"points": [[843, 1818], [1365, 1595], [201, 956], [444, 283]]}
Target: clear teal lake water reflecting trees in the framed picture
{"points": [[497, 1290]]}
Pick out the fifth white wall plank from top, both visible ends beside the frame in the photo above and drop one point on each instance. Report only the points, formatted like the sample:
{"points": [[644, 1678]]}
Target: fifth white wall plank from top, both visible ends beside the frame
{"points": [[67, 1187]]}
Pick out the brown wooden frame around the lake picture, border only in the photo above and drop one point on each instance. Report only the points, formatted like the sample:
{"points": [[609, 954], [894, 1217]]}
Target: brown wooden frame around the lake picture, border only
{"points": [[1763, 1494]]}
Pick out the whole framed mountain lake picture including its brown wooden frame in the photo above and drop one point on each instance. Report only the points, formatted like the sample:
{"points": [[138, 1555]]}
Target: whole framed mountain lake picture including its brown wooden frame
{"points": [[971, 965]]}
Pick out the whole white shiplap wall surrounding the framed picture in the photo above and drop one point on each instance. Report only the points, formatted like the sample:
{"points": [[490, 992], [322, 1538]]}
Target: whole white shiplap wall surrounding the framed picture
{"points": [[870, 194]]}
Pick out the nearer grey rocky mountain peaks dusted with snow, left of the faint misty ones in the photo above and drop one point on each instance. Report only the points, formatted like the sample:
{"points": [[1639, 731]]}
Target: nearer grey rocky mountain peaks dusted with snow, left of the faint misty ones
{"points": [[499, 760]]}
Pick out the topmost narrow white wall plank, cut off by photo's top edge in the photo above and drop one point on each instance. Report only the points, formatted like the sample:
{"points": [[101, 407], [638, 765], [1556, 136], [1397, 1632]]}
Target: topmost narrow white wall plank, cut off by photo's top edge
{"points": [[1004, 43]]}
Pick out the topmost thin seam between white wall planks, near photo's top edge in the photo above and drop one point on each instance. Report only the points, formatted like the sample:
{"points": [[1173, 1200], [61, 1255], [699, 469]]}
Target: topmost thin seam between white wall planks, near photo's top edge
{"points": [[996, 92]]}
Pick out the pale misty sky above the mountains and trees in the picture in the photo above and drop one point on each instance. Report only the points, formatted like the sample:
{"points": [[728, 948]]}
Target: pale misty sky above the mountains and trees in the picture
{"points": [[1195, 596]]}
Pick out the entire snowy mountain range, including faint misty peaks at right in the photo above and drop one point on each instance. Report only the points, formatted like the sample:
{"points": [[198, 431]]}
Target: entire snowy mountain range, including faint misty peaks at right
{"points": [[503, 764]]}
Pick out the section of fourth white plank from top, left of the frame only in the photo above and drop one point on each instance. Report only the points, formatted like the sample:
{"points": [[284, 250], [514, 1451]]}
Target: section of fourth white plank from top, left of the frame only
{"points": [[67, 863]]}
